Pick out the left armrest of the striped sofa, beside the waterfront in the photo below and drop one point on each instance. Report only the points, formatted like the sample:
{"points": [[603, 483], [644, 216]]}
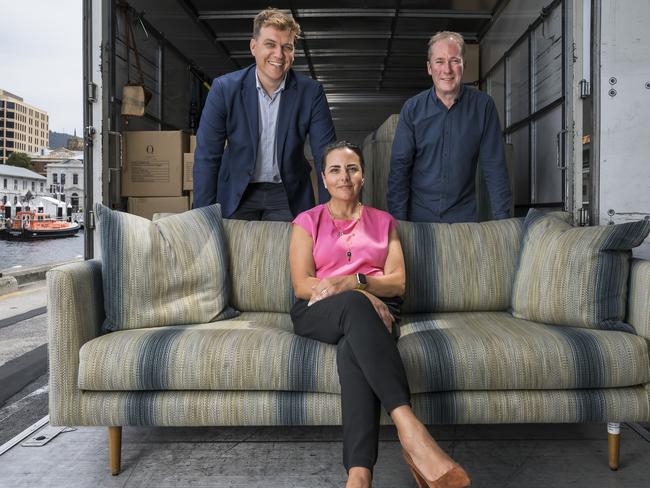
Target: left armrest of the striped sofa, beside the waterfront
{"points": [[75, 313]]}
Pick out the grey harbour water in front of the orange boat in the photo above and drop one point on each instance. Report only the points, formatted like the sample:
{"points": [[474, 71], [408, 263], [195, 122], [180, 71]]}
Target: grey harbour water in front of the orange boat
{"points": [[34, 253]]}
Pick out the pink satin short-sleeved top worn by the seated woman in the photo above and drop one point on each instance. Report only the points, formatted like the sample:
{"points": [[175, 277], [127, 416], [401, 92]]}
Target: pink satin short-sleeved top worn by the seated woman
{"points": [[345, 247]]}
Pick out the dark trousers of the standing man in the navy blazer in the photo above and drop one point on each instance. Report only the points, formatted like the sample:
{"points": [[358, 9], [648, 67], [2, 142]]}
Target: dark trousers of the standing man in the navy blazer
{"points": [[264, 201]]}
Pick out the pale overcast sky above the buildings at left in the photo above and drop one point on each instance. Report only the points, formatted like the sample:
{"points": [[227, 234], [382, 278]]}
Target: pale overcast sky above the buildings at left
{"points": [[41, 58]]}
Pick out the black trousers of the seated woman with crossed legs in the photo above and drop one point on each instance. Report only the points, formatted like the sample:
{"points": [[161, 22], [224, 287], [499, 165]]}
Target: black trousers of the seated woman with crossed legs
{"points": [[370, 368]]}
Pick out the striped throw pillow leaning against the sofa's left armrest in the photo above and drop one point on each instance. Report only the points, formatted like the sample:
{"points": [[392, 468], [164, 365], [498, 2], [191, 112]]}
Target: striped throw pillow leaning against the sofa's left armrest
{"points": [[171, 271]]}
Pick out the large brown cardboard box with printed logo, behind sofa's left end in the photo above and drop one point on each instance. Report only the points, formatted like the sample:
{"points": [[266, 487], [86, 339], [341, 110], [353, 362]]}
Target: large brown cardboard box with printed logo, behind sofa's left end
{"points": [[152, 163]]}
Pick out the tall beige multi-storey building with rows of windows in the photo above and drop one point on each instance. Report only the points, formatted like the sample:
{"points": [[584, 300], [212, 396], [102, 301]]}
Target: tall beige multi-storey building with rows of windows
{"points": [[23, 128]]}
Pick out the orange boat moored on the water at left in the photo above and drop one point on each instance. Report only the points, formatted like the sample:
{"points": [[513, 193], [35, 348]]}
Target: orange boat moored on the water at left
{"points": [[27, 225]]}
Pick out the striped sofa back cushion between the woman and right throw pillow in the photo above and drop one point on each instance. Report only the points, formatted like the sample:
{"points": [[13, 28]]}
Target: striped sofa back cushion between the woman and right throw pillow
{"points": [[459, 267]]}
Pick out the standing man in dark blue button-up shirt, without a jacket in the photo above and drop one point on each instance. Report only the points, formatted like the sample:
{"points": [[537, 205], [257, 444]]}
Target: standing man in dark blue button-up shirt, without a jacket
{"points": [[442, 134]]}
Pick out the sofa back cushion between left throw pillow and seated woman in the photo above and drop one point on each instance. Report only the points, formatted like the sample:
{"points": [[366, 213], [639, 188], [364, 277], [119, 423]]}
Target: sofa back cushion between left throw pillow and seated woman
{"points": [[259, 264]]}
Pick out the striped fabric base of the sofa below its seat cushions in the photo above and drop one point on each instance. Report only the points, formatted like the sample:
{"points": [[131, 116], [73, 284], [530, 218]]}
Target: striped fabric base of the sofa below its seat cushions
{"points": [[254, 408]]}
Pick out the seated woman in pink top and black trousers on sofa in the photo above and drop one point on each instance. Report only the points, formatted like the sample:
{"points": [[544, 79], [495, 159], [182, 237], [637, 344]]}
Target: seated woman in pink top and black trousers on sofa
{"points": [[346, 259]]}
